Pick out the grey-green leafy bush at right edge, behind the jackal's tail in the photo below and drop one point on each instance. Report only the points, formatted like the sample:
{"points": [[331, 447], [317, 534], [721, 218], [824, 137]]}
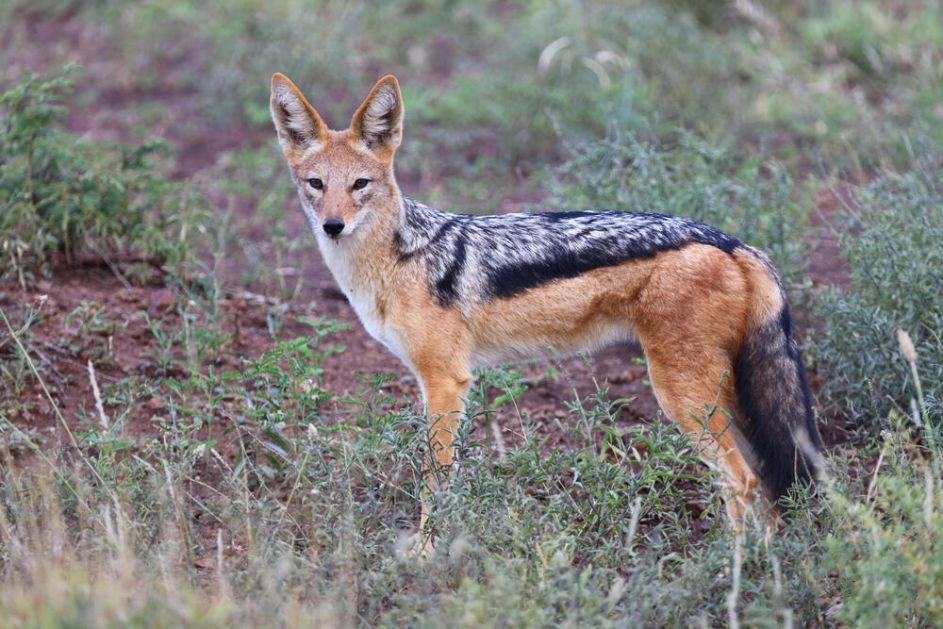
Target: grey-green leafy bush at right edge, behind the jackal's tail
{"points": [[896, 262]]}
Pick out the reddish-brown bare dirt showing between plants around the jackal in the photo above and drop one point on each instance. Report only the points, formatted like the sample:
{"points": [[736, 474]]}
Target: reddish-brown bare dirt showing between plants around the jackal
{"points": [[112, 100]]}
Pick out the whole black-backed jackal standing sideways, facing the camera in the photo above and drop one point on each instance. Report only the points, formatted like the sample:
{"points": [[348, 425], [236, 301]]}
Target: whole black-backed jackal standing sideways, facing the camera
{"points": [[449, 292]]}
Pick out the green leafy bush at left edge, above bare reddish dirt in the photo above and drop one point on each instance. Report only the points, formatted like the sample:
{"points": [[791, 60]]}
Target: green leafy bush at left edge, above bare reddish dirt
{"points": [[60, 194]]}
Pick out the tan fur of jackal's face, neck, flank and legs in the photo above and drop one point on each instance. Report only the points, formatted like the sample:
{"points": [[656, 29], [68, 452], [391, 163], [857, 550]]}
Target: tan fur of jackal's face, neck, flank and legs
{"points": [[678, 304]]}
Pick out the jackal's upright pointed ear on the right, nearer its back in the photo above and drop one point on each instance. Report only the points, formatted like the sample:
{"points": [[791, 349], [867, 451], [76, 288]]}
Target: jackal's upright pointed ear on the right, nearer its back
{"points": [[378, 122]]}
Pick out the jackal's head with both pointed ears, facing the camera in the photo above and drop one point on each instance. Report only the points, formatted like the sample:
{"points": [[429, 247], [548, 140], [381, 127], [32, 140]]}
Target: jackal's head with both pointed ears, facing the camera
{"points": [[344, 178]]}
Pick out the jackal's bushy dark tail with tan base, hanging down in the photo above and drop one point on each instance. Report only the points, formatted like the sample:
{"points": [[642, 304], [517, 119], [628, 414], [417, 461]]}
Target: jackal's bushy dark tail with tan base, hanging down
{"points": [[772, 388]]}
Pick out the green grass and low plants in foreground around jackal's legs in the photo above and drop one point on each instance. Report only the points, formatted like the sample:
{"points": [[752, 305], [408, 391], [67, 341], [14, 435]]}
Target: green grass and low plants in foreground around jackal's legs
{"points": [[313, 518]]}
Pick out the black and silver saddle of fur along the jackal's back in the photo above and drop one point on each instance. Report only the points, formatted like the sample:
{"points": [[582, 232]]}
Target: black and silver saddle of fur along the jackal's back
{"points": [[472, 258]]}
